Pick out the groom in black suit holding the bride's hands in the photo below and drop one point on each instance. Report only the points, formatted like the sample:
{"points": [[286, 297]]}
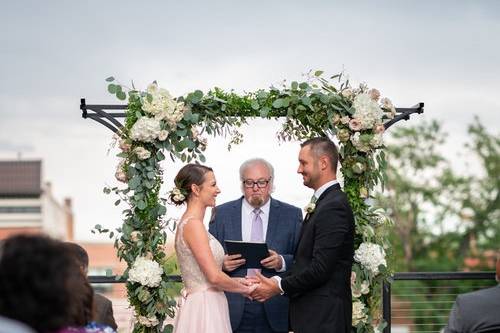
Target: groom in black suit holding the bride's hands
{"points": [[318, 284]]}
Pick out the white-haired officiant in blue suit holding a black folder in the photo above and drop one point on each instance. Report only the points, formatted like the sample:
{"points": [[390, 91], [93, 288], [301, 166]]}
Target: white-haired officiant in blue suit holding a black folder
{"points": [[257, 217]]}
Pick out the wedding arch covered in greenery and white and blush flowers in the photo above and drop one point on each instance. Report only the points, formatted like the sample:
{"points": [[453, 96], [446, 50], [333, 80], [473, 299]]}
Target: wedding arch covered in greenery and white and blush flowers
{"points": [[157, 124]]}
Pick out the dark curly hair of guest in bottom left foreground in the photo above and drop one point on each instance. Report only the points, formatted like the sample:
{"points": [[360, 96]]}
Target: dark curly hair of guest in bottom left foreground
{"points": [[42, 285]]}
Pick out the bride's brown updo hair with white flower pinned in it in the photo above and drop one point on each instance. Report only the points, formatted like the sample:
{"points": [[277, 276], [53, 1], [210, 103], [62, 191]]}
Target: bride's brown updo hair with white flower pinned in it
{"points": [[188, 175]]}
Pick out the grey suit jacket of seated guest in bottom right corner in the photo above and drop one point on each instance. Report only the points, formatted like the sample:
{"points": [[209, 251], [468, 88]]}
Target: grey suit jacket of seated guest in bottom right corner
{"points": [[475, 312]]}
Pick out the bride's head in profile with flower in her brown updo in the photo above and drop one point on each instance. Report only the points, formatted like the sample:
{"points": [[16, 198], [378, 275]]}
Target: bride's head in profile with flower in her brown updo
{"points": [[196, 183]]}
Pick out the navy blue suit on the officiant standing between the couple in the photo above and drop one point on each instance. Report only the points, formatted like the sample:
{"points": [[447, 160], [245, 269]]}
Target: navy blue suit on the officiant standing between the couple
{"points": [[282, 235]]}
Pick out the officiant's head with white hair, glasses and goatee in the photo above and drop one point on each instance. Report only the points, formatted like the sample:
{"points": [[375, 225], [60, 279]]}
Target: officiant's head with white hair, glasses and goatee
{"points": [[257, 177]]}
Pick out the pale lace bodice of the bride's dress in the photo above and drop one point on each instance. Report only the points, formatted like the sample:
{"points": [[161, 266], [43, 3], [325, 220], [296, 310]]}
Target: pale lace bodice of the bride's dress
{"points": [[192, 276]]}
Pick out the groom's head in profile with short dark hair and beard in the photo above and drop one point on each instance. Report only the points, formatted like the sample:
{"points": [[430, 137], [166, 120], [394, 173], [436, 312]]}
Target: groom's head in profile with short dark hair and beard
{"points": [[318, 159]]}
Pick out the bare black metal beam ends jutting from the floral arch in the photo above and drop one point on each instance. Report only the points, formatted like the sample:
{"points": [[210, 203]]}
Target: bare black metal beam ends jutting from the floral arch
{"points": [[99, 113]]}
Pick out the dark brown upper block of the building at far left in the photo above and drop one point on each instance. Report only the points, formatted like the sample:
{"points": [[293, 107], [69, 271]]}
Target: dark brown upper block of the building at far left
{"points": [[20, 178]]}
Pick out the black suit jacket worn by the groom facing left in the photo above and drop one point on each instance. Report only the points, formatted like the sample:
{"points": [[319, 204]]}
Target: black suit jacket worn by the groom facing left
{"points": [[319, 283]]}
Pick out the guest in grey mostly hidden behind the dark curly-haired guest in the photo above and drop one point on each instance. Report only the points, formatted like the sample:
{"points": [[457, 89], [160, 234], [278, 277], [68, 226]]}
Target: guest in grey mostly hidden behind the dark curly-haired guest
{"points": [[103, 308]]}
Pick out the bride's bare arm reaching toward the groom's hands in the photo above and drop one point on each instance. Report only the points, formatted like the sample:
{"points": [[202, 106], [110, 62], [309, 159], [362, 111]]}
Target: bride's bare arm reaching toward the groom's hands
{"points": [[196, 238]]}
